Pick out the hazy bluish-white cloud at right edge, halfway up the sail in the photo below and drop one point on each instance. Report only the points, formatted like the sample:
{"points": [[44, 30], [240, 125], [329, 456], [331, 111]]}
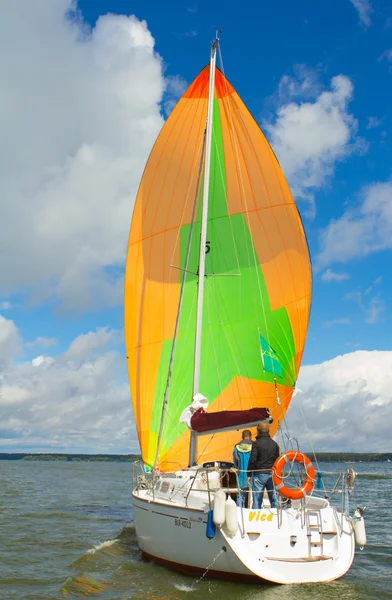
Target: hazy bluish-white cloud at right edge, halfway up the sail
{"points": [[362, 229]]}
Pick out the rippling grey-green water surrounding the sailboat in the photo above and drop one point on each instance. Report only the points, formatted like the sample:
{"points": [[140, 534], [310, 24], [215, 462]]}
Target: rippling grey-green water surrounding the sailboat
{"points": [[66, 532]]}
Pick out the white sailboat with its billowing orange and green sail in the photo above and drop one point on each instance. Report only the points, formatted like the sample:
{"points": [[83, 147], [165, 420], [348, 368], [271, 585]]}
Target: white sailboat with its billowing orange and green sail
{"points": [[217, 301]]}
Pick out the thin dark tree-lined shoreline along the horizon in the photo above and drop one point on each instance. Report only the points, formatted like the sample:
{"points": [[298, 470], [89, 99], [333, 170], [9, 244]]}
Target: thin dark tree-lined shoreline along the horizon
{"points": [[347, 457]]}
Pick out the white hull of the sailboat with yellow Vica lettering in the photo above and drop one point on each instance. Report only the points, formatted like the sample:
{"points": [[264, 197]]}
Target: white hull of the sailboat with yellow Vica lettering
{"points": [[314, 543]]}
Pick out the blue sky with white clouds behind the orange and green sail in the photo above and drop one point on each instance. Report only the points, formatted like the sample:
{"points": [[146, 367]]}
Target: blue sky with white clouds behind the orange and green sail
{"points": [[84, 100]]}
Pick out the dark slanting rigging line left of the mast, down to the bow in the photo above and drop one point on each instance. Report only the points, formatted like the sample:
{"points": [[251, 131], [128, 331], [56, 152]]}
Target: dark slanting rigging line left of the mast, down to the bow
{"points": [[166, 395]]}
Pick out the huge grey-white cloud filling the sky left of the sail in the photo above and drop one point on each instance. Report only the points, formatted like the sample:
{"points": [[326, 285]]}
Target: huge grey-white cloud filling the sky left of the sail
{"points": [[80, 111]]}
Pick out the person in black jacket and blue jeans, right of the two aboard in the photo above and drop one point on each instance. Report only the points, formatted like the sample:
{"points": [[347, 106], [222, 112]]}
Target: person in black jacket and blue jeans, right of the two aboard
{"points": [[264, 453]]}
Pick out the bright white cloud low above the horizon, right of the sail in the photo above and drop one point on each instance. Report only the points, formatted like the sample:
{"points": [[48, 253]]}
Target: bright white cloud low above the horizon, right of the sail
{"points": [[346, 402]]}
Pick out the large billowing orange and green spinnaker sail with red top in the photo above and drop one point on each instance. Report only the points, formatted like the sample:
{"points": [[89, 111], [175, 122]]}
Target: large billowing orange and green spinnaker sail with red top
{"points": [[257, 286]]}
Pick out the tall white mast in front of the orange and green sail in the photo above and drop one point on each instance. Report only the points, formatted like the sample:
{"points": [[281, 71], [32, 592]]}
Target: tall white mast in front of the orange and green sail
{"points": [[203, 239]]}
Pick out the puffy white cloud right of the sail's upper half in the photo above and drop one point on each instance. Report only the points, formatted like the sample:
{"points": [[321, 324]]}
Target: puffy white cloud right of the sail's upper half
{"points": [[309, 137]]}
